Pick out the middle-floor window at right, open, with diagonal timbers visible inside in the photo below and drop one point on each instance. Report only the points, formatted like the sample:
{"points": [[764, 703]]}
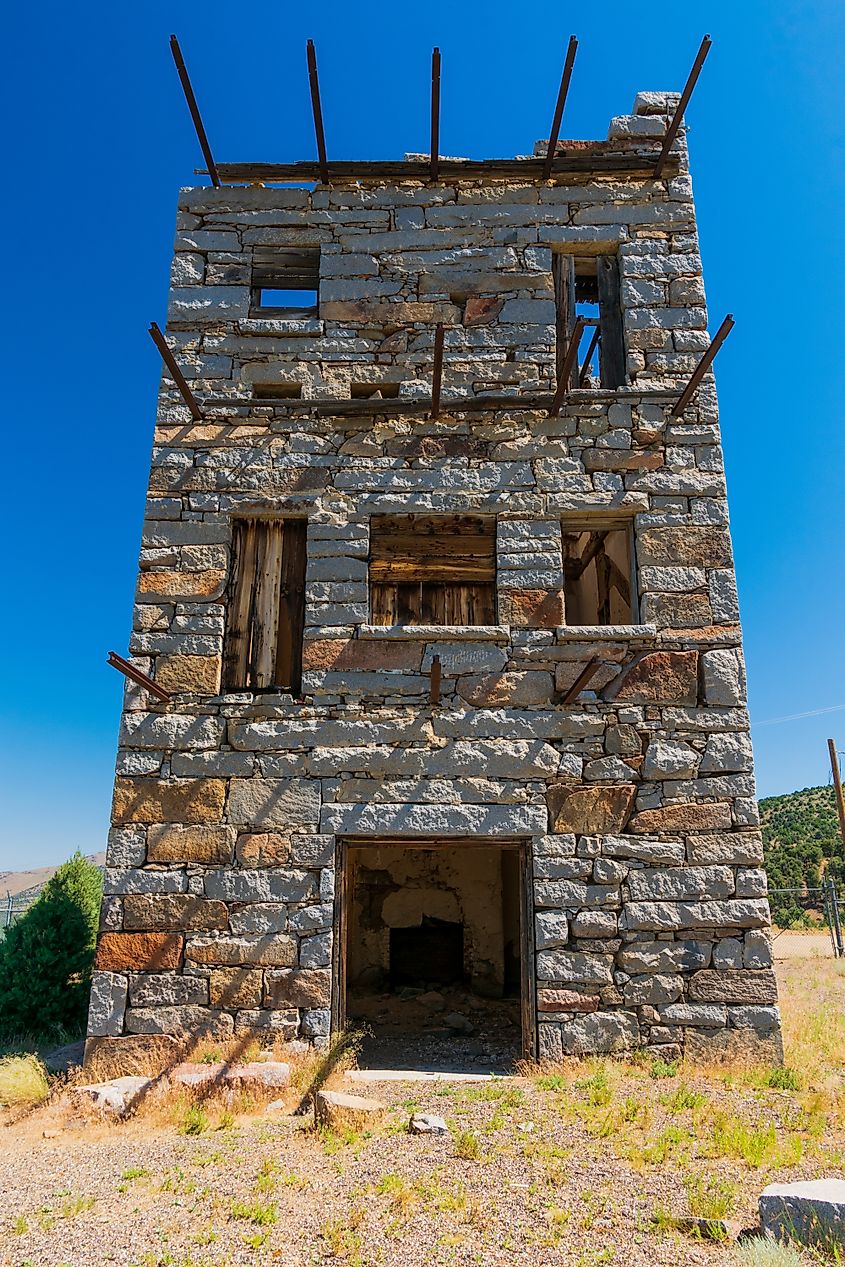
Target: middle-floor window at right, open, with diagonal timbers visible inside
{"points": [[599, 572]]}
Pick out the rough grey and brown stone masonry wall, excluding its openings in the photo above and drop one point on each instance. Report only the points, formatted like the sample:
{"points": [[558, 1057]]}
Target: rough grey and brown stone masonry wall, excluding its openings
{"points": [[638, 799]]}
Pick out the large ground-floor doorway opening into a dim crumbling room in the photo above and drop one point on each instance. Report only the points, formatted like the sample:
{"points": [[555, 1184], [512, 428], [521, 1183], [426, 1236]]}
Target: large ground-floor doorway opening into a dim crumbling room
{"points": [[434, 952]]}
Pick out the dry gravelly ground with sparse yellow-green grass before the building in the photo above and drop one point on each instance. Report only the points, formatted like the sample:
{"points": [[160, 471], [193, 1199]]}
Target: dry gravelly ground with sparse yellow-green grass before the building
{"points": [[580, 1166]]}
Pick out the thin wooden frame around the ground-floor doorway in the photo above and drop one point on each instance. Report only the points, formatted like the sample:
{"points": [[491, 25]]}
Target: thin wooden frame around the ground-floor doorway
{"points": [[528, 961]]}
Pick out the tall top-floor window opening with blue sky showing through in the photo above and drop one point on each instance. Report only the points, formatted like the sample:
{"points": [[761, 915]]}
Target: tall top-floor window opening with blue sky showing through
{"points": [[588, 287]]}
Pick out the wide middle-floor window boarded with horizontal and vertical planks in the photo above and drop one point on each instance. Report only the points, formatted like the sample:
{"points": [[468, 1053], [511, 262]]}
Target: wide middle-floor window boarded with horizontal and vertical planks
{"points": [[433, 570]]}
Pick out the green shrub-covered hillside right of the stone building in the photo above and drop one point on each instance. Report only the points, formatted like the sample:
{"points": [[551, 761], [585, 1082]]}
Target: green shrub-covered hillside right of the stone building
{"points": [[801, 844]]}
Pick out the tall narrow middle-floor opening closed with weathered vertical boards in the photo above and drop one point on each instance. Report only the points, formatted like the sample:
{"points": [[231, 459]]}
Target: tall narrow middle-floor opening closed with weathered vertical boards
{"points": [[265, 606]]}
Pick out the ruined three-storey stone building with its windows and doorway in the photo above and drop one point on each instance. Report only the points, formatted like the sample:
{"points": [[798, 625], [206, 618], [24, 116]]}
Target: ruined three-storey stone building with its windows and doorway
{"points": [[457, 691]]}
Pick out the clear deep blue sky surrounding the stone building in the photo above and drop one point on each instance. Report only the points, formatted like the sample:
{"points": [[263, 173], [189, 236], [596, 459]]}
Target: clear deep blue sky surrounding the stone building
{"points": [[99, 144]]}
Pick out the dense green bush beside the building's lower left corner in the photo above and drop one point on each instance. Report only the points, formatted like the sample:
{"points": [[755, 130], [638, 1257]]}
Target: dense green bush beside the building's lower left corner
{"points": [[46, 958]]}
